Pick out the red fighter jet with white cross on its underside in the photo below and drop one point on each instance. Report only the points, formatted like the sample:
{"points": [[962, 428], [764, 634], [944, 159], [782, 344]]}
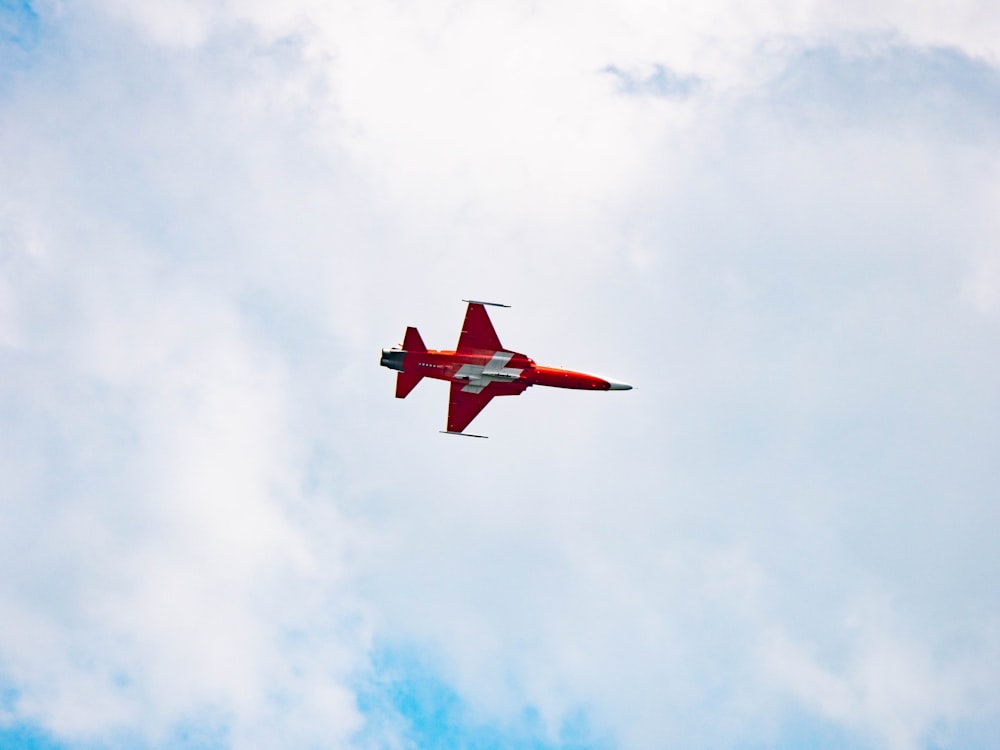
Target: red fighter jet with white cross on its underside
{"points": [[479, 369]]}
